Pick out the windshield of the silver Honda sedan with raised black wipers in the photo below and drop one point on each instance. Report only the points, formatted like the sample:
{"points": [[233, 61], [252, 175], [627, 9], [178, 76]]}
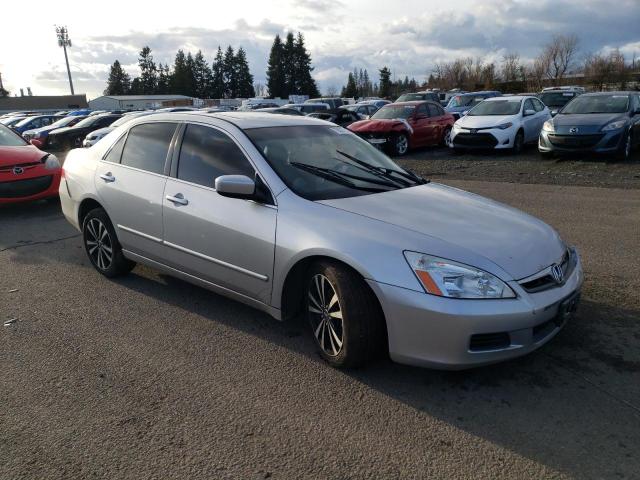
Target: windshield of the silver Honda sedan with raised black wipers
{"points": [[322, 162]]}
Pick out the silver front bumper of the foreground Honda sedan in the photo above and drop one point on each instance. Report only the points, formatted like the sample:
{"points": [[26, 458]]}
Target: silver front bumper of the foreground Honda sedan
{"points": [[444, 333]]}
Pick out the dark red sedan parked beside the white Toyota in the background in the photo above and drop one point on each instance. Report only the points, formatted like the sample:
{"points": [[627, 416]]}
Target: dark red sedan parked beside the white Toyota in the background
{"points": [[398, 127]]}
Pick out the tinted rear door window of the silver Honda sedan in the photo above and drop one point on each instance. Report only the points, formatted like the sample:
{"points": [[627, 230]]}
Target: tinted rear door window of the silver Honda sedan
{"points": [[147, 146]]}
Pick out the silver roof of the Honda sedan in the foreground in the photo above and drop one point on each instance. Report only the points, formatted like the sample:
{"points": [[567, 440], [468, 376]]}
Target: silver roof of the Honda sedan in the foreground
{"points": [[242, 120]]}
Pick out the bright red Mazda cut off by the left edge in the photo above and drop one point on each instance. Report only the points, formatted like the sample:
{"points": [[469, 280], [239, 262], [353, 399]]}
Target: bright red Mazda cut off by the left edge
{"points": [[26, 173]]}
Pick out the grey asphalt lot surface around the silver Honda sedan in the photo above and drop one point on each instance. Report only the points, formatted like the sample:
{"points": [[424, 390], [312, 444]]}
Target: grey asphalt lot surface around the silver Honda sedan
{"points": [[150, 377]]}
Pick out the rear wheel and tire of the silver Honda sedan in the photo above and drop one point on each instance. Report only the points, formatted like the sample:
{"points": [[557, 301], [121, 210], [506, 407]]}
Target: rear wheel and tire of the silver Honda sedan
{"points": [[102, 246]]}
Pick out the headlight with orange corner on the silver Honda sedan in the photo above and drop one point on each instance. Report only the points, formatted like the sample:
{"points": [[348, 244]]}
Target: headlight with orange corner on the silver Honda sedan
{"points": [[446, 278]]}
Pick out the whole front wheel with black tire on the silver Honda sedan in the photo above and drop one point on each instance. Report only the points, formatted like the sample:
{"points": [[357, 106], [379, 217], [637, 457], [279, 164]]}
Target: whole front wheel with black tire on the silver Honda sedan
{"points": [[344, 315]]}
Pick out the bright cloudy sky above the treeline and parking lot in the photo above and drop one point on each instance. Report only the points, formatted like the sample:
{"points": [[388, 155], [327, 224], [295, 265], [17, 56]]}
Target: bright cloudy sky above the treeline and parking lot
{"points": [[408, 36]]}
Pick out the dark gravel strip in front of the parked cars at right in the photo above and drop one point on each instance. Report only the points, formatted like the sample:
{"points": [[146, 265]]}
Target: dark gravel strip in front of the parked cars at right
{"points": [[528, 167]]}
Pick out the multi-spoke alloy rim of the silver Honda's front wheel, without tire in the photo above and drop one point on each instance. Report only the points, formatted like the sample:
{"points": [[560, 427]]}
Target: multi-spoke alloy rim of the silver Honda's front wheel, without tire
{"points": [[325, 315]]}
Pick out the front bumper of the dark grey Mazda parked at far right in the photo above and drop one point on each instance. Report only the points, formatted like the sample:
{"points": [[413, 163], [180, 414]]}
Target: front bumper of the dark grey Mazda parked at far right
{"points": [[600, 142]]}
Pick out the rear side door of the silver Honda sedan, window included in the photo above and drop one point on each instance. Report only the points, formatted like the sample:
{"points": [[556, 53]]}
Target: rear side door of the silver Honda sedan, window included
{"points": [[130, 182]]}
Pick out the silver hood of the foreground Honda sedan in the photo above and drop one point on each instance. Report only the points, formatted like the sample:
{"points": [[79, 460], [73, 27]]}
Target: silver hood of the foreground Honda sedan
{"points": [[516, 242]]}
